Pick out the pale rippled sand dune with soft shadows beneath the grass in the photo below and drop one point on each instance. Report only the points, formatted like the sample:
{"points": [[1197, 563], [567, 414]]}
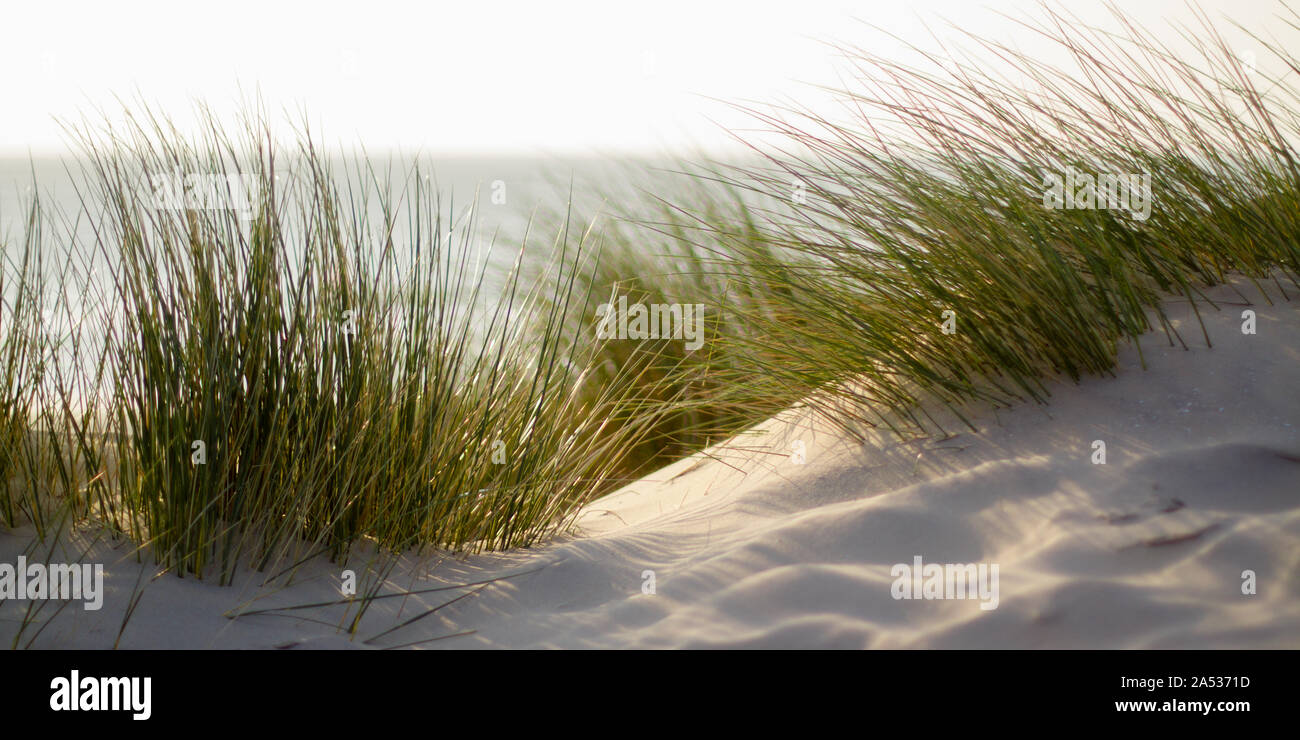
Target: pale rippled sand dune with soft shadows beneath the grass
{"points": [[752, 549]]}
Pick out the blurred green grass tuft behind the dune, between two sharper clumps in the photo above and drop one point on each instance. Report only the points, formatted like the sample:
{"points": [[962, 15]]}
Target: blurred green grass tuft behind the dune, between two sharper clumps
{"points": [[649, 254]]}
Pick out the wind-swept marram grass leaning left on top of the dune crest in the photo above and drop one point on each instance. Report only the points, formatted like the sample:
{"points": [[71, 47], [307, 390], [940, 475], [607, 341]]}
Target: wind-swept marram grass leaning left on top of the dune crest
{"points": [[933, 201]]}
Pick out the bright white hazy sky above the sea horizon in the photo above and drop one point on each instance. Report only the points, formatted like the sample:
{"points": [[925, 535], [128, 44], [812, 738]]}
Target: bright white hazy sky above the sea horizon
{"points": [[496, 77]]}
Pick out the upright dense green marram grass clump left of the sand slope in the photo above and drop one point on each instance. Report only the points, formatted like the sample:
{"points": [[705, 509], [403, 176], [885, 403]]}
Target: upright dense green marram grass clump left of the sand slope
{"points": [[309, 362]]}
